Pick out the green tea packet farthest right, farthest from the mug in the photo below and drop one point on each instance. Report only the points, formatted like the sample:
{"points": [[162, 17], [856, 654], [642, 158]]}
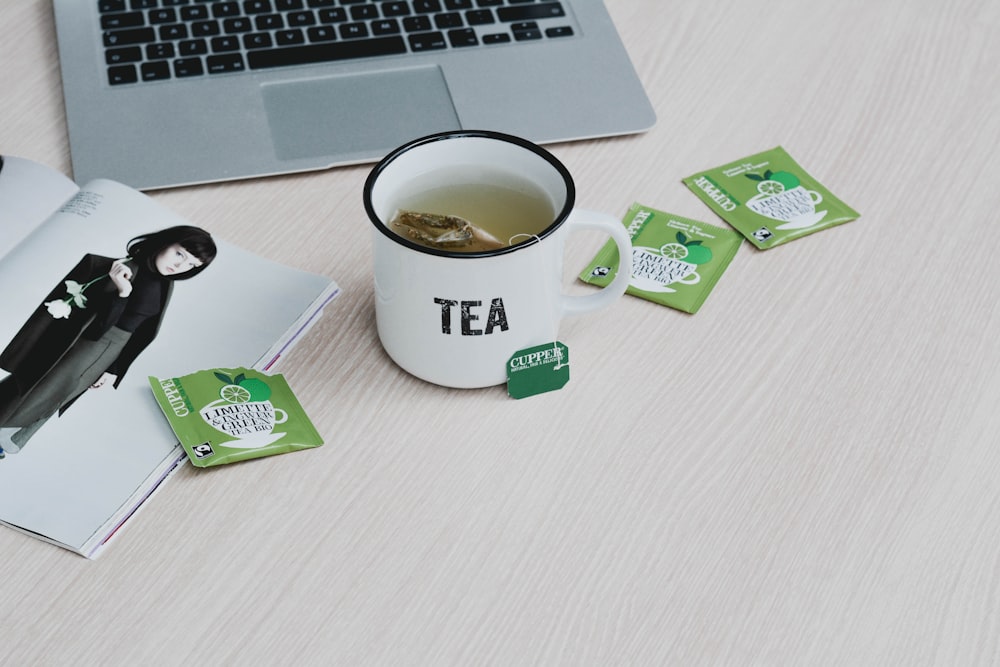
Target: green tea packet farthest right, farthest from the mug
{"points": [[769, 198]]}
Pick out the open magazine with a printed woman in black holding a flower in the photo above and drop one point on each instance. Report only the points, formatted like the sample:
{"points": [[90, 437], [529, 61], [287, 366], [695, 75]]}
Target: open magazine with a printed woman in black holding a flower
{"points": [[76, 466]]}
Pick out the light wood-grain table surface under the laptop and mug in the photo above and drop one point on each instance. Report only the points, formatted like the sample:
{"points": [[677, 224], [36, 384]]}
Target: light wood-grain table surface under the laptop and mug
{"points": [[806, 472]]}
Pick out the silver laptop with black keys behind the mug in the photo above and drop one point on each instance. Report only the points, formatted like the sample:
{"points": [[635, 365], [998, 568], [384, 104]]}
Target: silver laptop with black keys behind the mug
{"points": [[163, 93]]}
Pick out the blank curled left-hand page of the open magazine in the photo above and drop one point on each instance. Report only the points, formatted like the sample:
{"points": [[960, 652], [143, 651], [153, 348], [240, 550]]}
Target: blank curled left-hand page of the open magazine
{"points": [[29, 193]]}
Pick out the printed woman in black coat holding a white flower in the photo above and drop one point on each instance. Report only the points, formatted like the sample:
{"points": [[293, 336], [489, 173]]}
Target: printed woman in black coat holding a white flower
{"points": [[90, 328]]}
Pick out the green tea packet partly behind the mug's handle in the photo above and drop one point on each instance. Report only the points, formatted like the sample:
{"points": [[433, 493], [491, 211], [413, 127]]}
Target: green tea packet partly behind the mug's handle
{"points": [[675, 261]]}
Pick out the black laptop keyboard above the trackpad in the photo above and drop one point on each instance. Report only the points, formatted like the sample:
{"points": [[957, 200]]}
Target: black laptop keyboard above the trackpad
{"points": [[153, 40]]}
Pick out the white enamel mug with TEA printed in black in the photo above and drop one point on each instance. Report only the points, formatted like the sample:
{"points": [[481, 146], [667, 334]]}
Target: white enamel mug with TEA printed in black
{"points": [[455, 318]]}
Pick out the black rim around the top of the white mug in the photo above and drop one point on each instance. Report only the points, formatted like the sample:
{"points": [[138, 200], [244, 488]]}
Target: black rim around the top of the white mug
{"points": [[382, 226]]}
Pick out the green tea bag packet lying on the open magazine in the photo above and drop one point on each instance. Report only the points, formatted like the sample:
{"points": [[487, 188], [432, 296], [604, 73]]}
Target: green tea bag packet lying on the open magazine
{"points": [[228, 415]]}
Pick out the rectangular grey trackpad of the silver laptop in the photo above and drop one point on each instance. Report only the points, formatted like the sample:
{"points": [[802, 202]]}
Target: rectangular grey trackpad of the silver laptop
{"points": [[357, 116]]}
